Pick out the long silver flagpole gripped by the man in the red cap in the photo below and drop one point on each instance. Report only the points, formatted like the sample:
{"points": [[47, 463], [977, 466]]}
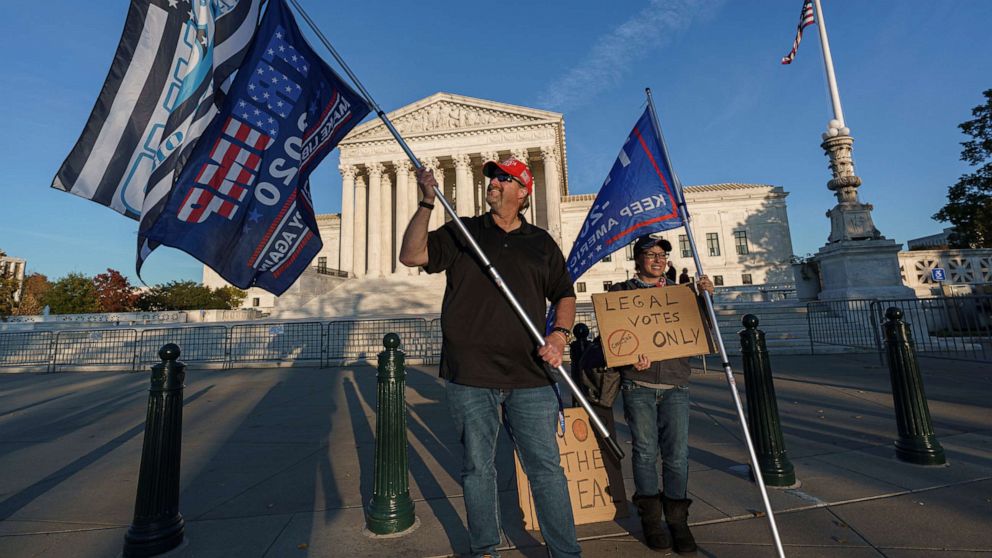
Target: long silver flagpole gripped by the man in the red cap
{"points": [[604, 432]]}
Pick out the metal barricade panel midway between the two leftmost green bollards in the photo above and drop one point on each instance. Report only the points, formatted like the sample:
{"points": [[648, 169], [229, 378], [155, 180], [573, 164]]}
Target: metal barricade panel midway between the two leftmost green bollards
{"points": [[290, 341]]}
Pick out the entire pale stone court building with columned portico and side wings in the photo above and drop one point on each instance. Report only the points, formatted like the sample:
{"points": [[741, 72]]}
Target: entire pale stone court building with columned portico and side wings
{"points": [[741, 230]]}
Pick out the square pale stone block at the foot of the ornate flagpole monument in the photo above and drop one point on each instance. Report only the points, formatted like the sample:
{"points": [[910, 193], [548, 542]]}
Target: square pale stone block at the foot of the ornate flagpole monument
{"points": [[858, 269]]}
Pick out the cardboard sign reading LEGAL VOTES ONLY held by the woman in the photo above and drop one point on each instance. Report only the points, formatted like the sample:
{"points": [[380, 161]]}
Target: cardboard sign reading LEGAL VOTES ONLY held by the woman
{"points": [[662, 323]]}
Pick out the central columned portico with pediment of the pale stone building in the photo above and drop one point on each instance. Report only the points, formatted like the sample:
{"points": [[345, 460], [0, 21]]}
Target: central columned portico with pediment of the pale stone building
{"points": [[454, 136]]}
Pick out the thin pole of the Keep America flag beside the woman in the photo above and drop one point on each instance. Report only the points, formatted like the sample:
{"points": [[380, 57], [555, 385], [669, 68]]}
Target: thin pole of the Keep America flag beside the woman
{"points": [[755, 467]]}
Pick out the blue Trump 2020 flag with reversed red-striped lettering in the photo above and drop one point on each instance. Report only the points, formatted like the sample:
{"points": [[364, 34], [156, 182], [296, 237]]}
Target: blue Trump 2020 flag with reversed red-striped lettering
{"points": [[241, 204]]}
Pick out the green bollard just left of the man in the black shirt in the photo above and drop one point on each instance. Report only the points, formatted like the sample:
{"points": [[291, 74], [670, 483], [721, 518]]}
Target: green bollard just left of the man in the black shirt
{"points": [[390, 511]]}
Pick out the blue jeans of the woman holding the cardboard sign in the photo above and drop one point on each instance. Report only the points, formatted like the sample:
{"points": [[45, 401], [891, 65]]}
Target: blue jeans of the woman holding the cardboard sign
{"points": [[658, 419]]}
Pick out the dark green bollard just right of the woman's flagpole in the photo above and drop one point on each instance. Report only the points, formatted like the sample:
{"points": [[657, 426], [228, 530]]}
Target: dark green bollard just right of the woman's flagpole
{"points": [[762, 407]]}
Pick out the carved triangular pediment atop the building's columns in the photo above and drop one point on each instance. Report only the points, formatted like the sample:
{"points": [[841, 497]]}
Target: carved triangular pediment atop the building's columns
{"points": [[446, 112]]}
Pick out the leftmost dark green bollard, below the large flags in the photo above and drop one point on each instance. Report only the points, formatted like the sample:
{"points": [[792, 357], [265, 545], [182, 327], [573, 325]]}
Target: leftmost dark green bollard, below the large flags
{"points": [[158, 526]]}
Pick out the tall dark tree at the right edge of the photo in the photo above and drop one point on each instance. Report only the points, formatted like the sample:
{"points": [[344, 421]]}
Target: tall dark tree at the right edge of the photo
{"points": [[969, 205]]}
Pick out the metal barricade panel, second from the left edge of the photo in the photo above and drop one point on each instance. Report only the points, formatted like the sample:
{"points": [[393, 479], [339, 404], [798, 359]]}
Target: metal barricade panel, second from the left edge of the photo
{"points": [[110, 348]]}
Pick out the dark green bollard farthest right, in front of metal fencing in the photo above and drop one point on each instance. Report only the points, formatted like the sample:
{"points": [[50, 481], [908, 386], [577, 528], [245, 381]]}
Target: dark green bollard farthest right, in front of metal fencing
{"points": [[917, 443]]}
